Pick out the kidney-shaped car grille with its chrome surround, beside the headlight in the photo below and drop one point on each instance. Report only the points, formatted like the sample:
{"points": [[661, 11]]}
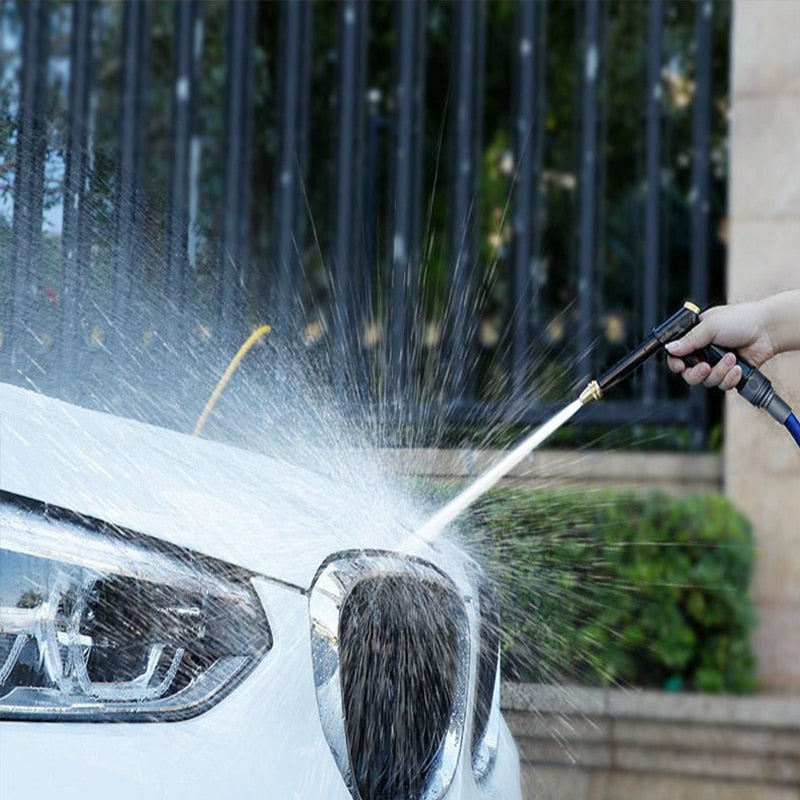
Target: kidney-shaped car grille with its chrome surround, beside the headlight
{"points": [[391, 658]]}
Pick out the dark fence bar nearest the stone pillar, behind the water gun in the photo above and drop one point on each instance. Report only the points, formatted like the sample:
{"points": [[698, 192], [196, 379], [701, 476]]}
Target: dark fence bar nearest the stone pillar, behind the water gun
{"points": [[700, 190]]}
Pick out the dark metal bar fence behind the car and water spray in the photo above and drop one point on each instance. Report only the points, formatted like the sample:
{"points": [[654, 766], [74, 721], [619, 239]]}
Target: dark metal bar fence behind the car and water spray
{"points": [[461, 210]]}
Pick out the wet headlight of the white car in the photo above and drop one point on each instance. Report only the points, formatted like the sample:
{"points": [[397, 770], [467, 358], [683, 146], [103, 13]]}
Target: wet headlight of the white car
{"points": [[98, 623]]}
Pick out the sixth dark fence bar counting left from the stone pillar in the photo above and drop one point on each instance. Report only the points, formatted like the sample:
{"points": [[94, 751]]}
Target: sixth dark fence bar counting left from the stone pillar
{"points": [[407, 143]]}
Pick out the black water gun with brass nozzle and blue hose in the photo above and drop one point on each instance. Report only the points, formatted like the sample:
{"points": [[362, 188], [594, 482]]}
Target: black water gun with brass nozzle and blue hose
{"points": [[754, 386]]}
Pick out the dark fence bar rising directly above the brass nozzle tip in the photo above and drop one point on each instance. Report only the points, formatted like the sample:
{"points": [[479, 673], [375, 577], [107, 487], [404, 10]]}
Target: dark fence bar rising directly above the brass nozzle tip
{"points": [[588, 188]]}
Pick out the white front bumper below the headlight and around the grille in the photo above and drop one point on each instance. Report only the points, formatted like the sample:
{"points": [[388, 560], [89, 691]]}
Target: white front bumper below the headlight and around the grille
{"points": [[264, 740]]}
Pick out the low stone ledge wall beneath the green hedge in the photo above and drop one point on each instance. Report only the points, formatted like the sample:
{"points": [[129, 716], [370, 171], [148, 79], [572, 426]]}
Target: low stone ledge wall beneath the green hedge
{"points": [[599, 744]]}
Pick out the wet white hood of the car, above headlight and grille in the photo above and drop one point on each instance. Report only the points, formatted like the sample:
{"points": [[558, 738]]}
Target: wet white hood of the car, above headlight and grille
{"points": [[274, 518]]}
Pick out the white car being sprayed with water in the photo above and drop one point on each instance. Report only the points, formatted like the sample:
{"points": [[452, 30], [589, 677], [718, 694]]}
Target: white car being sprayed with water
{"points": [[180, 618]]}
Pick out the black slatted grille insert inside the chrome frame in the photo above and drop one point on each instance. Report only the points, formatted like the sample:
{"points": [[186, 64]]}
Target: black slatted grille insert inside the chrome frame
{"points": [[399, 665]]}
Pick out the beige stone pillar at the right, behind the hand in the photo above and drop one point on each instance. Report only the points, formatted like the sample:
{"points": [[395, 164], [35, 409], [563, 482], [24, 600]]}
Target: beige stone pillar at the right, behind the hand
{"points": [[762, 468]]}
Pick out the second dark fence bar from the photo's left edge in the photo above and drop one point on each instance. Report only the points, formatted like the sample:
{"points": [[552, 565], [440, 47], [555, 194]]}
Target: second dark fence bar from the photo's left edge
{"points": [[75, 224]]}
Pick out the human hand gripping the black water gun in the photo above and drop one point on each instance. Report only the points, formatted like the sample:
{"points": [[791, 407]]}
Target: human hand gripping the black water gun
{"points": [[742, 327]]}
